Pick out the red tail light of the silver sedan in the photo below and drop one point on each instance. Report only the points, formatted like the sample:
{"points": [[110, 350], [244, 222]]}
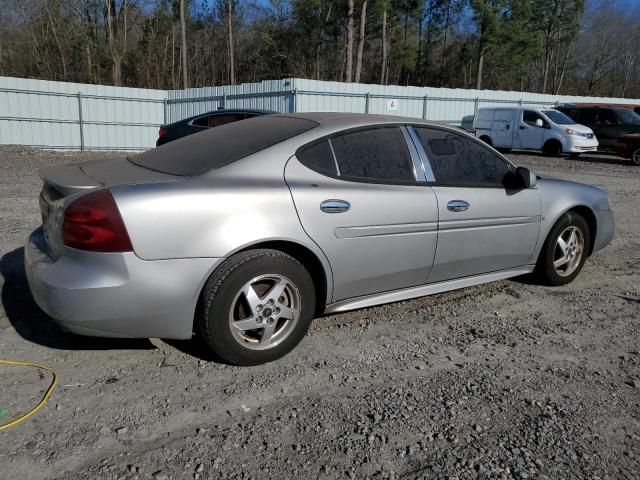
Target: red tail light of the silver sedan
{"points": [[93, 223]]}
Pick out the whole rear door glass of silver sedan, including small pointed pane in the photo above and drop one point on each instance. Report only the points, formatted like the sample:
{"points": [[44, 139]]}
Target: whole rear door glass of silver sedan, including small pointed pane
{"points": [[378, 155]]}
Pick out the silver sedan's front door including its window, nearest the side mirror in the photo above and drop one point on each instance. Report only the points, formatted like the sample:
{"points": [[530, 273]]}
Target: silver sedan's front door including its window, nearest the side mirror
{"points": [[483, 226]]}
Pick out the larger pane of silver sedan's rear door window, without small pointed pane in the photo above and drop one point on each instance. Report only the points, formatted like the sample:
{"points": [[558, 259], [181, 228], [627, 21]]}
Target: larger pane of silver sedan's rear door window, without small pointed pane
{"points": [[378, 154]]}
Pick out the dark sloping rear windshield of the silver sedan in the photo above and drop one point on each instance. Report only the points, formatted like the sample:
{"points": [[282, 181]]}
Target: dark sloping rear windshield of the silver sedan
{"points": [[220, 146]]}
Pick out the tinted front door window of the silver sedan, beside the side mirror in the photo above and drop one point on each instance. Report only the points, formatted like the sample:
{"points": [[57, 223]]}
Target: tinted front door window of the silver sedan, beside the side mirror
{"points": [[460, 161]]}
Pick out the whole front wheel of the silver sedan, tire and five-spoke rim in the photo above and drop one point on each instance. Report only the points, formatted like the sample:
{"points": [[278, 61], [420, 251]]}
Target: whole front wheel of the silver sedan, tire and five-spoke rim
{"points": [[565, 250]]}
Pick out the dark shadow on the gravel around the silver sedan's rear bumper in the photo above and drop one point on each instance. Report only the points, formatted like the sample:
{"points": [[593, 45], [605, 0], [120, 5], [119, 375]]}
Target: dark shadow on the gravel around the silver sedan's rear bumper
{"points": [[35, 326]]}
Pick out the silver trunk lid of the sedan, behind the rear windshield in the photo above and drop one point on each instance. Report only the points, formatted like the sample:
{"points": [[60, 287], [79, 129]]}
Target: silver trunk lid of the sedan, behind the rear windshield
{"points": [[62, 182]]}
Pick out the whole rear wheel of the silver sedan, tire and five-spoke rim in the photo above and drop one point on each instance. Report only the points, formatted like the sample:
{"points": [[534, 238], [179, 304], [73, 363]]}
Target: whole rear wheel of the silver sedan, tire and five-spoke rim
{"points": [[256, 307]]}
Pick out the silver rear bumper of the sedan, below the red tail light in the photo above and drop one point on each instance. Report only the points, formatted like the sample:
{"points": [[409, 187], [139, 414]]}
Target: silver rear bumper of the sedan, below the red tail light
{"points": [[116, 294]]}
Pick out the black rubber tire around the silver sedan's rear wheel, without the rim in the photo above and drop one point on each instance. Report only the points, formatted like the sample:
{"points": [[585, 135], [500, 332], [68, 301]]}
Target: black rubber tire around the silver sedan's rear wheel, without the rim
{"points": [[219, 297]]}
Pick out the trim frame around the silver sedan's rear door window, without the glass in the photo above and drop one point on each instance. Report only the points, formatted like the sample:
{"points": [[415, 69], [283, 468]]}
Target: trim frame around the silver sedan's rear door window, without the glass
{"points": [[400, 126]]}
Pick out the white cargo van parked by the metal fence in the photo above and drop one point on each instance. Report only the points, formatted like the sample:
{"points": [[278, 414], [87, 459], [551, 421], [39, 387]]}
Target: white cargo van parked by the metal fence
{"points": [[544, 129]]}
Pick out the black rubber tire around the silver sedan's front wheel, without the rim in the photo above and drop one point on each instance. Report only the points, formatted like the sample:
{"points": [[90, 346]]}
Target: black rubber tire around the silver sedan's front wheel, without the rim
{"points": [[545, 269]]}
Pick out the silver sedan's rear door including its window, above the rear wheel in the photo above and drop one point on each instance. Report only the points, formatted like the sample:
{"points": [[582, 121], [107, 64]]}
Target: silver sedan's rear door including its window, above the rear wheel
{"points": [[358, 198]]}
